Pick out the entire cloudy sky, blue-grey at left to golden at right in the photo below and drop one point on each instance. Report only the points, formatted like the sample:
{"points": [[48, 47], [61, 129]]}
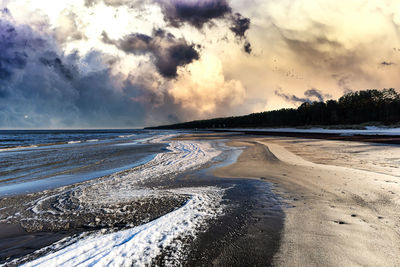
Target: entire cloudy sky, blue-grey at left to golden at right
{"points": [[126, 63]]}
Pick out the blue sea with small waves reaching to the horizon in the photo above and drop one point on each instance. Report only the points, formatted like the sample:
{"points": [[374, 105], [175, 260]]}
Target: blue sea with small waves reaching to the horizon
{"points": [[36, 160]]}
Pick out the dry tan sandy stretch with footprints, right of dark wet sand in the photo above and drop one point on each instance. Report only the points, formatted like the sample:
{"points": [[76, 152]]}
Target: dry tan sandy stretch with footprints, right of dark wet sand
{"points": [[343, 198]]}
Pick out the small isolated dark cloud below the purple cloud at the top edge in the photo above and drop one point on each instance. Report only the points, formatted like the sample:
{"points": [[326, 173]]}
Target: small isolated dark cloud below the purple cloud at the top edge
{"points": [[168, 52]]}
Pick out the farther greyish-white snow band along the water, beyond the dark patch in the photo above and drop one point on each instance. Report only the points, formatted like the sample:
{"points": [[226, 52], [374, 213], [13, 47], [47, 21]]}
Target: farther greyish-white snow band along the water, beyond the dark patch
{"points": [[125, 186]]}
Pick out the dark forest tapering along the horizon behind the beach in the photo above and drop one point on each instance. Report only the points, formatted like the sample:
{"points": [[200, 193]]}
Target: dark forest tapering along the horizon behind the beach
{"points": [[380, 107]]}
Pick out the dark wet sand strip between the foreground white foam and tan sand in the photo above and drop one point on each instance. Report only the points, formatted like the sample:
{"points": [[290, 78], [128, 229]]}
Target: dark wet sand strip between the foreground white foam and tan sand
{"points": [[249, 232]]}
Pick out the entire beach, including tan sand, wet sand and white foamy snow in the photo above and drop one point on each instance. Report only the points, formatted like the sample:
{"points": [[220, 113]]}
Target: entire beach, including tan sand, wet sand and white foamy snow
{"points": [[222, 199]]}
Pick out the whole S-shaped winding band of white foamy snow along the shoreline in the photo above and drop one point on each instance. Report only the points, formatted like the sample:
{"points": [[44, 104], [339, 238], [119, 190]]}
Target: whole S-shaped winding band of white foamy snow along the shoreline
{"points": [[141, 244]]}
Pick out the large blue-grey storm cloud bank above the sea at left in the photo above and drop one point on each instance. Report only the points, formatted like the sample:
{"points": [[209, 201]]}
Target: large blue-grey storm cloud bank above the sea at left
{"points": [[41, 87]]}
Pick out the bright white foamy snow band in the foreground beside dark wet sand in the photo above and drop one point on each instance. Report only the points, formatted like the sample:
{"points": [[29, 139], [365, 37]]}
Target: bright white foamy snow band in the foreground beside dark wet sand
{"points": [[140, 245]]}
